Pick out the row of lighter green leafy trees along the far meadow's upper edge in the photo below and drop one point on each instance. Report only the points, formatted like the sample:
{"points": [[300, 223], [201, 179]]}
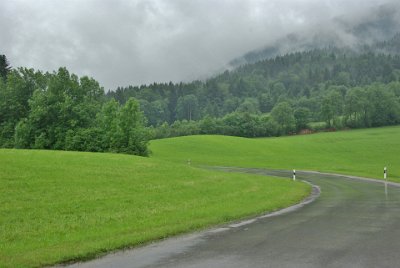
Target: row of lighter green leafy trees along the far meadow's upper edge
{"points": [[360, 107]]}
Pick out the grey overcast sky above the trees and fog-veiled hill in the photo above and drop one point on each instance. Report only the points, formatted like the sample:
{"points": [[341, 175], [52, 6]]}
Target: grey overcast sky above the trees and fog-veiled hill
{"points": [[132, 42]]}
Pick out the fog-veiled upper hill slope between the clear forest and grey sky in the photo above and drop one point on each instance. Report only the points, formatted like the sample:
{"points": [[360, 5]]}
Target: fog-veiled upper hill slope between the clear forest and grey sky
{"points": [[353, 30]]}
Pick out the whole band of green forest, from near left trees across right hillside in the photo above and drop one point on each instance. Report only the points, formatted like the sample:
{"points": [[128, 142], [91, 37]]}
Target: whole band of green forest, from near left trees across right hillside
{"points": [[328, 88]]}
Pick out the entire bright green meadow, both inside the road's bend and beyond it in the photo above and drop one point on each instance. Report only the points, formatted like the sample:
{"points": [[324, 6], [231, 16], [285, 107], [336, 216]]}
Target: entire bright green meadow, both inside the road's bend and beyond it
{"points": [[62, 206]]}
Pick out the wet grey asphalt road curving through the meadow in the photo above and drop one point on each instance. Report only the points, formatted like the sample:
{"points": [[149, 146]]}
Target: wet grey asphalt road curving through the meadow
{"points": [[352, 223]]}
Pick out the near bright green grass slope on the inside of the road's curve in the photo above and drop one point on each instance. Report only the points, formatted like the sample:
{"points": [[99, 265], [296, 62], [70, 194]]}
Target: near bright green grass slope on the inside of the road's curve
{"points": [[60, 206]]}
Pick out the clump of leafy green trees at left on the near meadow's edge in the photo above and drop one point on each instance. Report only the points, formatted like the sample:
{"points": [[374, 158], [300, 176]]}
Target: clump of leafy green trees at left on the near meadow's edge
{"points": [[60, 111]]}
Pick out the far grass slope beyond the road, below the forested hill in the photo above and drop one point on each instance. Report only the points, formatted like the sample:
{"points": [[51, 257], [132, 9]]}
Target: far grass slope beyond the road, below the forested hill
{"points": [[358, 152]]}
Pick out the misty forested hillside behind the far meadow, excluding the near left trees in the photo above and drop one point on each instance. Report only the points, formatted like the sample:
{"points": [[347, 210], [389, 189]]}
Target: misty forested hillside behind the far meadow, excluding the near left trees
{"points": [[341, 87]]}
